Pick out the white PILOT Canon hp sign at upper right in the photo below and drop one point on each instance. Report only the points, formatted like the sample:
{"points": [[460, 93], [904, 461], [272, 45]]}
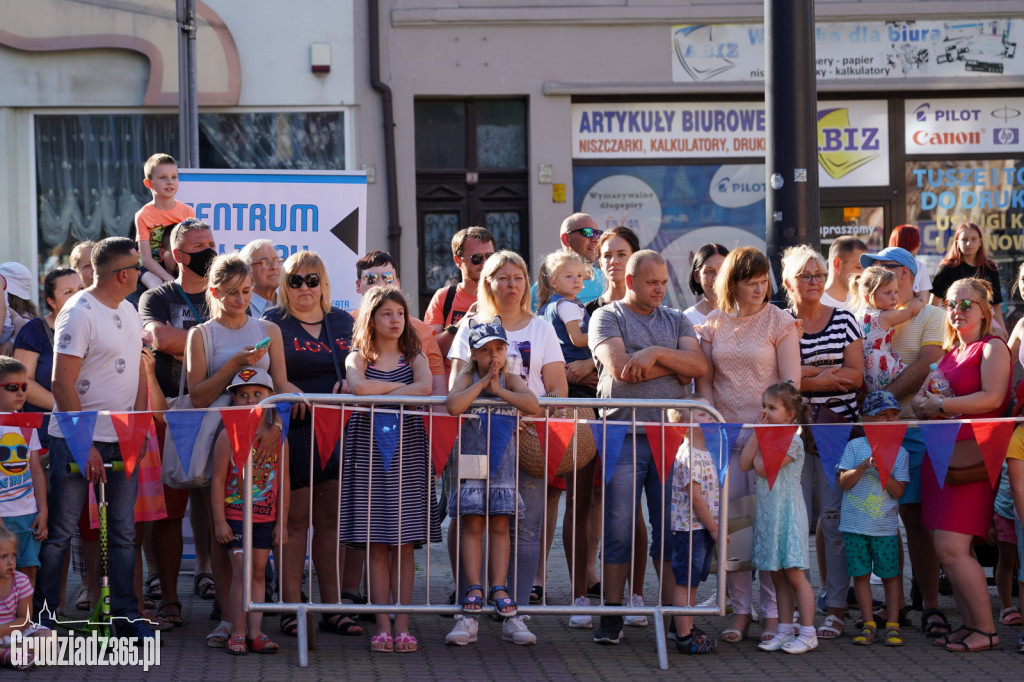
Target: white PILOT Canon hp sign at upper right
{"points": [[959, 126]]}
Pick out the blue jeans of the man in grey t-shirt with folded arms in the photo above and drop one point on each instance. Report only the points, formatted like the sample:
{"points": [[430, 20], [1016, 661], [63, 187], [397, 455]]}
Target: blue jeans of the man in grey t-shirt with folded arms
{"points": [[622, 503]]}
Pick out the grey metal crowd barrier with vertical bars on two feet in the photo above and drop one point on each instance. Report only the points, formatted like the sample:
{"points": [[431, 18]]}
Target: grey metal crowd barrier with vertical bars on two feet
{"points": [[433, 408]]}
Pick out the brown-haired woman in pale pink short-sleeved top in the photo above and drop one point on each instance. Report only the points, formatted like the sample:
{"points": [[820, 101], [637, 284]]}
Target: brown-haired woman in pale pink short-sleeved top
{"points": [[750, 346]]}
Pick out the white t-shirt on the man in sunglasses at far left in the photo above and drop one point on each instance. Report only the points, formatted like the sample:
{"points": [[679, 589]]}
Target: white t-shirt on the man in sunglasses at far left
{"points": [[110, 344]]}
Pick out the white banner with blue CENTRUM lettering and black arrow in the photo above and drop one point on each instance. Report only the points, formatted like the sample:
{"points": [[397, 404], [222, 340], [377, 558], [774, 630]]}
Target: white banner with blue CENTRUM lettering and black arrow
{"points": [[323, 211]]}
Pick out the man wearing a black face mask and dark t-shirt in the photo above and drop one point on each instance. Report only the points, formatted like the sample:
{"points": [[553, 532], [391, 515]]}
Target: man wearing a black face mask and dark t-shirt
{"points": [[168, 313]]}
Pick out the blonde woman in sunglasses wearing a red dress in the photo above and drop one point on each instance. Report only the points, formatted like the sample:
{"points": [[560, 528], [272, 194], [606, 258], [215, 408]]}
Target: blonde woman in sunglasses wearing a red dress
{"points": [[978, 367]]}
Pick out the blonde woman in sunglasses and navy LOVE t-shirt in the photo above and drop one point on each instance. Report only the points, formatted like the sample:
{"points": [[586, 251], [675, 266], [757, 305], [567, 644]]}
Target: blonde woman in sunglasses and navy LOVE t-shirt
{"points": [[317, 339]]}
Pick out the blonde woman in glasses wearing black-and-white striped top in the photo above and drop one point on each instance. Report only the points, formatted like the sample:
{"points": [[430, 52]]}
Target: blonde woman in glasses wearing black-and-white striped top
{"points": [[833, 368]]}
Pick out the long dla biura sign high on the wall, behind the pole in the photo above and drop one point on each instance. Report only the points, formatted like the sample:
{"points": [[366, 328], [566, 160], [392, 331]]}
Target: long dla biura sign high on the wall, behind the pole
{"points": [[858, 51]]}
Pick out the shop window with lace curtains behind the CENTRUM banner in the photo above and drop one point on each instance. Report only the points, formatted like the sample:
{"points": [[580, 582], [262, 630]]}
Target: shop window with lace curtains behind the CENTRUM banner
{"points": [[90, 166]]}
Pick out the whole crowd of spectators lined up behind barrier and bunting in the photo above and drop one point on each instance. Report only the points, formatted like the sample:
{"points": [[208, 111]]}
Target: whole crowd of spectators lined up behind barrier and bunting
{"points": [[140, 326]]}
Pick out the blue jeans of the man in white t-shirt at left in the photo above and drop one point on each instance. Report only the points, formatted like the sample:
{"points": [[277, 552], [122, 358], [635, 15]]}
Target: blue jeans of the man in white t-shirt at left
{"points": [[69, 493]]}
